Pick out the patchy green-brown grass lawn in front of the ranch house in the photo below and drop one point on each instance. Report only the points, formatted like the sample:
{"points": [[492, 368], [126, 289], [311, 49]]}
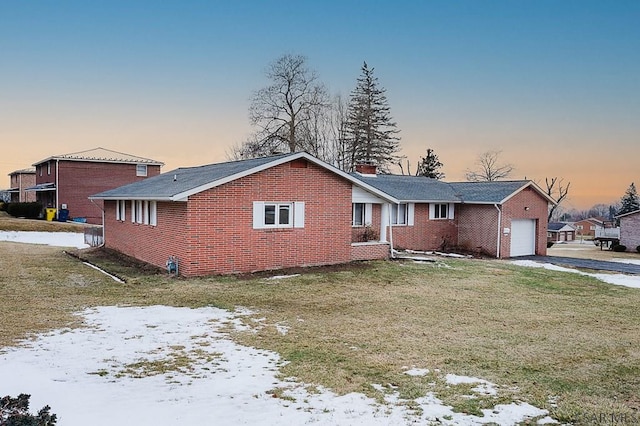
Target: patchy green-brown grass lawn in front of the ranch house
{"points": [[540, 335]]}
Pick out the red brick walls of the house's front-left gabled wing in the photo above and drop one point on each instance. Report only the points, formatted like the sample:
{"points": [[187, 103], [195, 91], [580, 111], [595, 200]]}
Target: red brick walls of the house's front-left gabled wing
{"points": [[213, 232]]}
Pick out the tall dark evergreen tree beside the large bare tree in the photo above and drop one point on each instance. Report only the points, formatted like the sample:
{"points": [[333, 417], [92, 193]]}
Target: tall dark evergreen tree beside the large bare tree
{"points": [[370, 131]]}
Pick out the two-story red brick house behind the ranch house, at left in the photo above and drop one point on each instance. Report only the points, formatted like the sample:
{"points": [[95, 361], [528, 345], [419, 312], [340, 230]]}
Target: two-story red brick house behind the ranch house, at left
{"points": [[67, 180]]}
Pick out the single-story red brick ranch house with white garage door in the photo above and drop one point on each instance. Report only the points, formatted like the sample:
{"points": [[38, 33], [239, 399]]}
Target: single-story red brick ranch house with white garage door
{"points": [[295, 210]]}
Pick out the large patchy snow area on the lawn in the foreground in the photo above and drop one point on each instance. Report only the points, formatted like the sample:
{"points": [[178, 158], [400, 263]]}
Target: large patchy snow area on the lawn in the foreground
{"points": [[162, 365]]}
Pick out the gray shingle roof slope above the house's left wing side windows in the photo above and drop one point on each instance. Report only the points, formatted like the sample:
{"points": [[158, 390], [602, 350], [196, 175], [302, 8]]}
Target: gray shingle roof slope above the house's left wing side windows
{"points": [[164, 186]]}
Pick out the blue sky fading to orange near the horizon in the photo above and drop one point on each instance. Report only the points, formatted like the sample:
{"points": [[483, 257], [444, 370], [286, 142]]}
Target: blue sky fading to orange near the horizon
{"points": [[554, 85]]}
